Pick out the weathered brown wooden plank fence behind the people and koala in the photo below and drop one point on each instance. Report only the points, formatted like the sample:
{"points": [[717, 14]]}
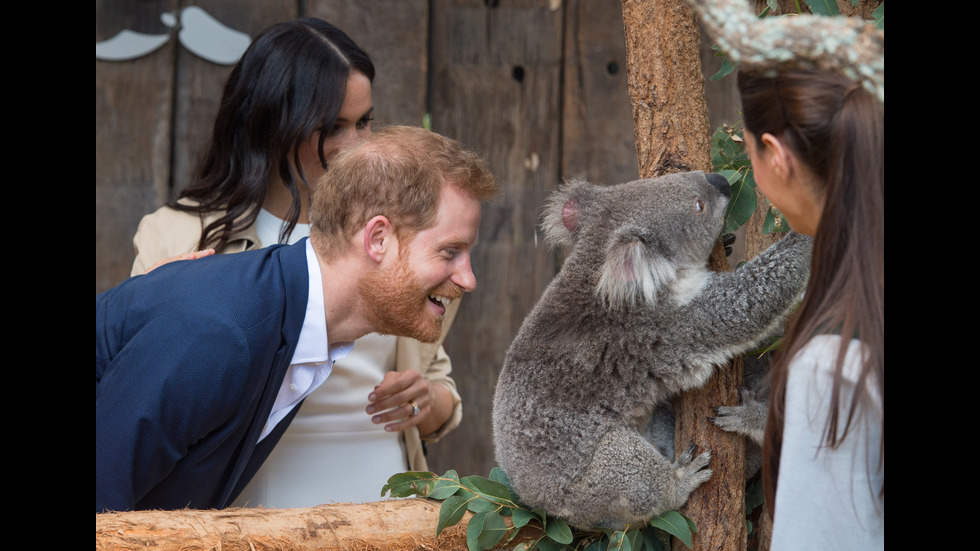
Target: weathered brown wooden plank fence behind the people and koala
{"points": [[537, 86]]}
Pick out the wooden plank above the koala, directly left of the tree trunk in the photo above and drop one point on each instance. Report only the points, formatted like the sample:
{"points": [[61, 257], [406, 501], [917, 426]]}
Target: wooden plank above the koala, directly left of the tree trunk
{"points": [[597, 125]]}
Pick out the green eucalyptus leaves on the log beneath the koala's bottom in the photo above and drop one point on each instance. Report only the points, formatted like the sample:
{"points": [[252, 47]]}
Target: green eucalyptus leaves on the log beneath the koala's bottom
{"points": [[492, 499]]}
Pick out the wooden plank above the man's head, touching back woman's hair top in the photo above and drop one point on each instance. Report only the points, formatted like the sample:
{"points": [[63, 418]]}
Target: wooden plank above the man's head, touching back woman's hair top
{"points": [[395, 34]]}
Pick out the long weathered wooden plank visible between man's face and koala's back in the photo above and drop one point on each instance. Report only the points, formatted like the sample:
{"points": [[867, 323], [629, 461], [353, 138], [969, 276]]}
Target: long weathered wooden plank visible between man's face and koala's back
{"points": [[496, 87]]}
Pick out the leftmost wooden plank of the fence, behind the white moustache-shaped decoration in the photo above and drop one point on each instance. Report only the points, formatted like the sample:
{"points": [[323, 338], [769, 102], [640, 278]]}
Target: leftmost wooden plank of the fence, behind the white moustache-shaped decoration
{"points": [[133, 102]]}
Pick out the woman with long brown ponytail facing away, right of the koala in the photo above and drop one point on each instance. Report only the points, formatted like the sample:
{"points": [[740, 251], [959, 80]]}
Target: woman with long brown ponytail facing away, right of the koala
{"points": [[817, 145]]}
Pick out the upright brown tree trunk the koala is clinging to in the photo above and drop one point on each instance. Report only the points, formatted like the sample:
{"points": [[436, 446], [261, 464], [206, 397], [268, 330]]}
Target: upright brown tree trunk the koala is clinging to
{"points": [[672, 135]]}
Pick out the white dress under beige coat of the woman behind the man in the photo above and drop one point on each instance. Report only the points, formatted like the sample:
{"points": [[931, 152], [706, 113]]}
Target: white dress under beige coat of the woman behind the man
{"points": [[331, 452]]}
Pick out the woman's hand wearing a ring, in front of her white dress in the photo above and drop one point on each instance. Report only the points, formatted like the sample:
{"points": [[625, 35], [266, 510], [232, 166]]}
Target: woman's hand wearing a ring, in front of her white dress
{"points": [[406, 399]]}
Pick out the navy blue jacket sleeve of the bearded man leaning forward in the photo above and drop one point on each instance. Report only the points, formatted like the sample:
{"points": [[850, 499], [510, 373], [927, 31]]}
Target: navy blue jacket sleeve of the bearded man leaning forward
{"points": [[176, 381]]}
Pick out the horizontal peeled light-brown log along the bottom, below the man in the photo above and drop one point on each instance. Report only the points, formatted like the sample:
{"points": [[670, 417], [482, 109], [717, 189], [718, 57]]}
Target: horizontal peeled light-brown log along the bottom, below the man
{"points": [[407, 524]]}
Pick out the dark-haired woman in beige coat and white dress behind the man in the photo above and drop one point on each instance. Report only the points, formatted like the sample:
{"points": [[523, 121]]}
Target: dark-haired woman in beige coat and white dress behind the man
{"points": [[300, 93]]}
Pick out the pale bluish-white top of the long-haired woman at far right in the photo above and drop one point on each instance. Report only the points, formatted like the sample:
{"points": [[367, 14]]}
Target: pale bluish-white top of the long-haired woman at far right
{"points": [[828, 498]]}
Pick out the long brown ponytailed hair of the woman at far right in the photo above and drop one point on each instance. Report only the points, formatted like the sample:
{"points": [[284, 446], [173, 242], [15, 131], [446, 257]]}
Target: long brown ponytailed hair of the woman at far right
{"points": [[837, 129]]}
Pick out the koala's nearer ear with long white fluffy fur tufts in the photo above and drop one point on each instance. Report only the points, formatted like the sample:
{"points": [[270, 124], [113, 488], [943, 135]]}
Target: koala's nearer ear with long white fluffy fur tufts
{"points": [[634, 271]]}
